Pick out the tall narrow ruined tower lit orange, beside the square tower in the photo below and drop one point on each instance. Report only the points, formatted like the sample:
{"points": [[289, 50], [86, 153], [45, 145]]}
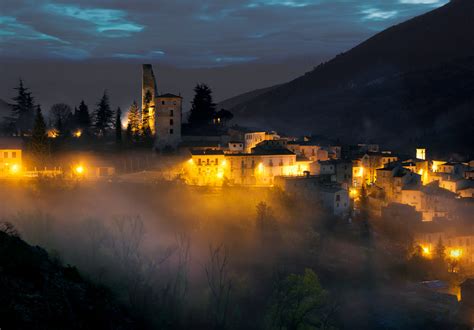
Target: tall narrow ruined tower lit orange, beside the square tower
{"points": [[149, 94]]}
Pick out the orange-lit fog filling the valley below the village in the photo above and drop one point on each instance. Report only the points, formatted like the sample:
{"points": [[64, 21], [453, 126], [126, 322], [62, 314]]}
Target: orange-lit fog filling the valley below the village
{"points": [[186, 257]]}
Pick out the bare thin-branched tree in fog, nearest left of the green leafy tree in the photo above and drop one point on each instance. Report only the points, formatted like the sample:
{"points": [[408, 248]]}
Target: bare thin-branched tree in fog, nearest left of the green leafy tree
{"points": [[220, 286]]}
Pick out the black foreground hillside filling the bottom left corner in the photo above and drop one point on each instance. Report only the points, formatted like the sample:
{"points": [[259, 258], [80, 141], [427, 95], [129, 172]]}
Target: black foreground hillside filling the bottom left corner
{"points": [[38, 293]]}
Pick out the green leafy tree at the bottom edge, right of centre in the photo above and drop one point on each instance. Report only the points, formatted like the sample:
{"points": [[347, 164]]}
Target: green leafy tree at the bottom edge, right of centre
{"points": [[298, 302]]}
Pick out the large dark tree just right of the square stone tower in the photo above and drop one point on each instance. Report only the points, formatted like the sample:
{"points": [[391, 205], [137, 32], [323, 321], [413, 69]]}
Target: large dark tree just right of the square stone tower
{"points": [[203, 109]]}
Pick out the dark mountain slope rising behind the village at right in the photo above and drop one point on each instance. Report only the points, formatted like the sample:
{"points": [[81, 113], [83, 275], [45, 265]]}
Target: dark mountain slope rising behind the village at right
{"points": [[407, 84]]}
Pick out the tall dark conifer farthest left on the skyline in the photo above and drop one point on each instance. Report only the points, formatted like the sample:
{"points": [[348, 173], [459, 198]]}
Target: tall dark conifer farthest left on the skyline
{"points": [[23, 108]]}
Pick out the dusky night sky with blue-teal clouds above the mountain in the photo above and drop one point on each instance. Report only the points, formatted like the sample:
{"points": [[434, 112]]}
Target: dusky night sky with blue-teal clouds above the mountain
{"points": [[187, 34]]}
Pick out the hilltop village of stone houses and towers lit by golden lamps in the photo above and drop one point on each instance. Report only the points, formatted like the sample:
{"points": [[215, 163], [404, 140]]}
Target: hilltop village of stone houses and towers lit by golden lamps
{"points": [[434, 196]]}
